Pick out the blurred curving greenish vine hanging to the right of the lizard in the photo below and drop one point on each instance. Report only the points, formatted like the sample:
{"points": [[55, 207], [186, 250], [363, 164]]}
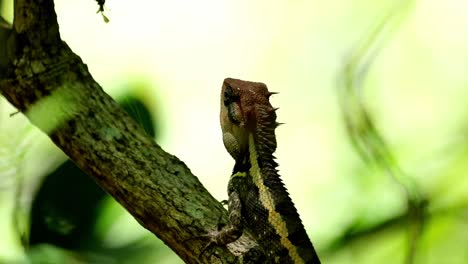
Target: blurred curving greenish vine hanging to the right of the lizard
{"points": [[362, 130]]}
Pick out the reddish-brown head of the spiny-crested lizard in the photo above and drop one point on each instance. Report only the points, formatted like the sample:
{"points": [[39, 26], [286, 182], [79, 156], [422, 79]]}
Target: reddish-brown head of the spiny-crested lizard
{"points": [[238, 115]]}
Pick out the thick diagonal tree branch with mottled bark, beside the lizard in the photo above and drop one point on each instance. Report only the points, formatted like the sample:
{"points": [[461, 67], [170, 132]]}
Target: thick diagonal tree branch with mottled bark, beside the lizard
{"points": [[50, 84]]}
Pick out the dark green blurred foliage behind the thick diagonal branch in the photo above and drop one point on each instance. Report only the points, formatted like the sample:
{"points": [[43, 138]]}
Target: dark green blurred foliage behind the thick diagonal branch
{"points": [[67, 207]]}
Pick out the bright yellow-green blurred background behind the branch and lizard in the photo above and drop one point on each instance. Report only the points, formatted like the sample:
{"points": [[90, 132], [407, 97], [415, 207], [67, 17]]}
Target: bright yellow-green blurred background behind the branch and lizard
{"points": [[373, 152]]}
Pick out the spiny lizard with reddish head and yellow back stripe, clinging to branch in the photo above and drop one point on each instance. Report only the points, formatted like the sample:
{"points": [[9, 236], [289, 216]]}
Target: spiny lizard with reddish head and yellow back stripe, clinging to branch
{"points": [[258, 200]]}
